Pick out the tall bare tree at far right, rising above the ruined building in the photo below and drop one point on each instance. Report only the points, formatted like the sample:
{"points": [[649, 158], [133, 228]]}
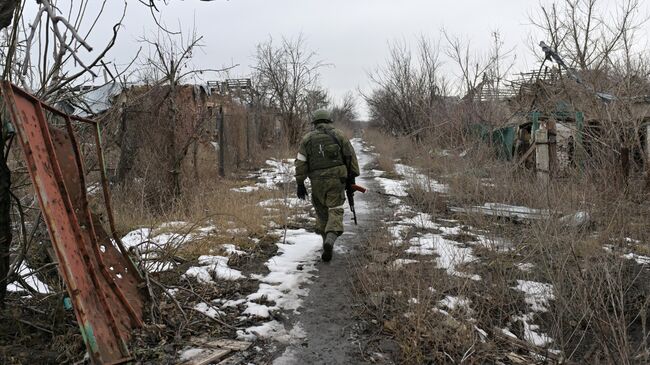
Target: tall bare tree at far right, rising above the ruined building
{"points": [[598, 45]]}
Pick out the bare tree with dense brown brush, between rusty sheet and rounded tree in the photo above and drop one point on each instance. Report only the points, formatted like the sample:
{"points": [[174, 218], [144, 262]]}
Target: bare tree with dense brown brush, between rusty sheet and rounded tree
{"points": [[167, 64]]}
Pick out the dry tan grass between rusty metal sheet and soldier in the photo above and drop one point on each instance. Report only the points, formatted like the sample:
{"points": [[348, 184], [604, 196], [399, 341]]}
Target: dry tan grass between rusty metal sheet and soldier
{"points": [[238, 217]]}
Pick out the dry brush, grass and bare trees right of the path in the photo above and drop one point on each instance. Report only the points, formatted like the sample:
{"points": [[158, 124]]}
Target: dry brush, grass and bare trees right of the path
{"points": [[593, 215]]}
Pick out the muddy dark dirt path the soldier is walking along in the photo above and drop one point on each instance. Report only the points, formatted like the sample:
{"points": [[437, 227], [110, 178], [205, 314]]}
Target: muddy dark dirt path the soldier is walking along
{"points": [[327, 331]]}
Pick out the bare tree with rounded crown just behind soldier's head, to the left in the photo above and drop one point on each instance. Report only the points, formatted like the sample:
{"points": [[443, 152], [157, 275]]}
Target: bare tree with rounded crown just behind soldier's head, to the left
{"points": [[287, 74]]}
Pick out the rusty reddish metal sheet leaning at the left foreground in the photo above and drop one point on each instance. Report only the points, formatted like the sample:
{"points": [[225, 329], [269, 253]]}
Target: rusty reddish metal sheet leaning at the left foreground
{"points": [[103, 283]]}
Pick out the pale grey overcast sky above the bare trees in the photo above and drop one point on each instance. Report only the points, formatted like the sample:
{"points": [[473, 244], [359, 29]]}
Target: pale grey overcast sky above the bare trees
{"points": [[351, 35]]}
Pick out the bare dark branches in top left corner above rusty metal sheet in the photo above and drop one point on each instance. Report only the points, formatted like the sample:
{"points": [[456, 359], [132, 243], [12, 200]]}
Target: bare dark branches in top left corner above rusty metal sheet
{"points": [[50, 54]]}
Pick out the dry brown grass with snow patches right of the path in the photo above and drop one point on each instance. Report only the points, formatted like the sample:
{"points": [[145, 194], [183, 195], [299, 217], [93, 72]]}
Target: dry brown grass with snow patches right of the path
{"points": [[600, 311]]}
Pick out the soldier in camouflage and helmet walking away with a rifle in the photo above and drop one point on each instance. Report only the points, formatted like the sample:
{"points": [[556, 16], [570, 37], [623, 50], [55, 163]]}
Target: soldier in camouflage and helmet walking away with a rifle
{"points": [[327, 158]]}
